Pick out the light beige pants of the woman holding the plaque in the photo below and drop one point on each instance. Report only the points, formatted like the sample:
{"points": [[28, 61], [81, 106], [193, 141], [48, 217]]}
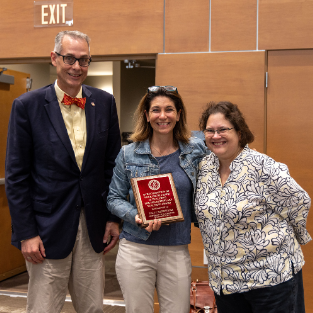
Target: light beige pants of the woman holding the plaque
{"points": [[142, 268]]}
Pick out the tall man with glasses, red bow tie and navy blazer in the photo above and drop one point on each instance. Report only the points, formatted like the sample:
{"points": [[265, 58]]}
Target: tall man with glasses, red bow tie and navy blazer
{"points": [[62, 143]]}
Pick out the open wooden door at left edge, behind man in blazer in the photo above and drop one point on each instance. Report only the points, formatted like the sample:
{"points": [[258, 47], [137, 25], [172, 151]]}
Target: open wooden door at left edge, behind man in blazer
{"points": [[11, 261]]}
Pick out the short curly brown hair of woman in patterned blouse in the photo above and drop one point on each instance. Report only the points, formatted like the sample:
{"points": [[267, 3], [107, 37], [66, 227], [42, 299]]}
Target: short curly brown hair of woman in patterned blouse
{"points": [[233, 115]]}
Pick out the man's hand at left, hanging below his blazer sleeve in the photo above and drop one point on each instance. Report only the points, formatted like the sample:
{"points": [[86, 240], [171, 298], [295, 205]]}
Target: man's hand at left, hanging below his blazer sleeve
{"points": [[33, 250]]}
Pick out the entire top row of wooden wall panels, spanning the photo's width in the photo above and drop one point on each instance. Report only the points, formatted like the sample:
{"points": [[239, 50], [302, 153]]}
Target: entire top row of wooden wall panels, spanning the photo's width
{"points": [[119, 27]]}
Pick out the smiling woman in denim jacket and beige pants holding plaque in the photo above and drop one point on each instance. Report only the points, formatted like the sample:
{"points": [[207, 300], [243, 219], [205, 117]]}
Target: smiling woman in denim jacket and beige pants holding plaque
{"points": [[156, 256]]}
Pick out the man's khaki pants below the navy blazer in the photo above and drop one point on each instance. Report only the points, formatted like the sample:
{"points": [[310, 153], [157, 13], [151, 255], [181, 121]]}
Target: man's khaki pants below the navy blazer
{"points": [[82, 272]]}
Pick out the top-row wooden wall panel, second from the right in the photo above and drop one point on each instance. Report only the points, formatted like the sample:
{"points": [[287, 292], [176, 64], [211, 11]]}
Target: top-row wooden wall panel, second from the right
{"points": [[233, 25]]}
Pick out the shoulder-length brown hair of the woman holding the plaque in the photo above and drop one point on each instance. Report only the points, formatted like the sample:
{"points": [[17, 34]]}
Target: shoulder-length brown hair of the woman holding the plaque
{"points": [[143, 129]]}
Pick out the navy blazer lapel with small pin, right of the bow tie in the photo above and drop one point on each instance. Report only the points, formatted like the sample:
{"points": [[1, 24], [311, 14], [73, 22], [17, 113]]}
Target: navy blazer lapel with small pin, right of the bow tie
{"points": [[90, 111]]}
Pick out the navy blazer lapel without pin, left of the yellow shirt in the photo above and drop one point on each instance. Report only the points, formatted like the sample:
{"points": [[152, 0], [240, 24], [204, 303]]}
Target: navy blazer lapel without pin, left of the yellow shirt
{"points": [[53, 109]]}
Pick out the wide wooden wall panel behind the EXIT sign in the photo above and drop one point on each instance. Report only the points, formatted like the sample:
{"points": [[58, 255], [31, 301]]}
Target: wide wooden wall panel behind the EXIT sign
{"points": [[115, 27]]}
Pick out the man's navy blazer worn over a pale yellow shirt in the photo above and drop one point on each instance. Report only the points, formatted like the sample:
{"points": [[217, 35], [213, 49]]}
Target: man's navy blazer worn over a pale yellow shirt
{"points": [[44, 186]]}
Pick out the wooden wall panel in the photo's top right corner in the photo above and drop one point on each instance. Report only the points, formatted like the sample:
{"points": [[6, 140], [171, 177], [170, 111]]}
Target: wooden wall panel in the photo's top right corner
{"points": [[285, 24]]}
